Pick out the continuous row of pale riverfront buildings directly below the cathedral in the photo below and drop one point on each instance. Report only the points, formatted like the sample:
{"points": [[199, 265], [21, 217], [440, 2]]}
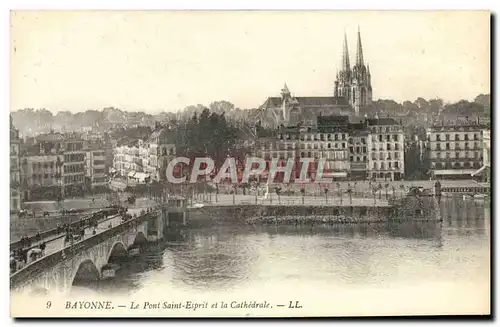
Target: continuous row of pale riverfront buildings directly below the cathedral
{"points": [[356, 150]]}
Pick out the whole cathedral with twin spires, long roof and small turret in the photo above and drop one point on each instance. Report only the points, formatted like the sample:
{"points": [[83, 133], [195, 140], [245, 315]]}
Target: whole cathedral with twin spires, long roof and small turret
{"points": [[352, 92]]}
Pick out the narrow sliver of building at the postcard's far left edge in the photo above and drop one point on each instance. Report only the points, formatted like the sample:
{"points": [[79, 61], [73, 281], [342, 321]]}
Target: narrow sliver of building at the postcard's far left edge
{"points": [[15, 191]]}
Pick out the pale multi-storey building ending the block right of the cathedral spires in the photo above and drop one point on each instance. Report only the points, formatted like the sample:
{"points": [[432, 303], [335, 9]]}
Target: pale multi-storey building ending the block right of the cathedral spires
{"points": [[386, 158]]}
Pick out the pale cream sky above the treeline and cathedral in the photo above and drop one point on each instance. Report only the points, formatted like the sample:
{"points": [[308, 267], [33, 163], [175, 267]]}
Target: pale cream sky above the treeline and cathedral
{"points": [[166, 60]]}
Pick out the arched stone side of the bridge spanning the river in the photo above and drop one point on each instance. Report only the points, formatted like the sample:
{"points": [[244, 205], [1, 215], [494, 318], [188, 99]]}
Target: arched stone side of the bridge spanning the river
{"points": [[83, 261]]}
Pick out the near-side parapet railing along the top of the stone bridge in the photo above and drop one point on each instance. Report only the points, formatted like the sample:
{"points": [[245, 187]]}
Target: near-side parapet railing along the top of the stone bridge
{"points": [[36, 268]]}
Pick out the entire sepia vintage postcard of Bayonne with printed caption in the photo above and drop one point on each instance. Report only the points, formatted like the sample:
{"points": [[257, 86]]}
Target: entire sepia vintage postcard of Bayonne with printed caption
{"points": [[250, 163]]}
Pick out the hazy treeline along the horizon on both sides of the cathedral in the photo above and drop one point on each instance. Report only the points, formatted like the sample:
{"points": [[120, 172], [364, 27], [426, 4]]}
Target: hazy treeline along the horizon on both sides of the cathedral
{"points": [[31, 121]]}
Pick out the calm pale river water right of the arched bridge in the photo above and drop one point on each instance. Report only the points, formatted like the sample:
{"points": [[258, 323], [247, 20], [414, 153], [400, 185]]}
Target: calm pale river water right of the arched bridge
{"points": [[418, 268]]}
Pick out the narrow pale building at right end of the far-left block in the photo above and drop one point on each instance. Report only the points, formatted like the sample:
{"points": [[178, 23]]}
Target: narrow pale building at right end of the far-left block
{"points": [[95, 172]]}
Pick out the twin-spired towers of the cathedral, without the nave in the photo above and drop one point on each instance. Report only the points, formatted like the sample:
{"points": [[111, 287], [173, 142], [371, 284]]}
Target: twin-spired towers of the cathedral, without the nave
{"points": [[354, 84]]}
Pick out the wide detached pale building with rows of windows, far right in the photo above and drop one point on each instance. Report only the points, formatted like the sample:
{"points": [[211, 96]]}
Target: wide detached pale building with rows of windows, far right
{"points": [[455, 149]]}
